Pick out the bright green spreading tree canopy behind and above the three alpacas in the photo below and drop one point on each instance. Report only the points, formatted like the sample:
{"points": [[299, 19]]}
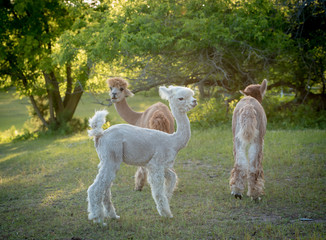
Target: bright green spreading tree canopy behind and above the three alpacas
{"points": [[214, 43]]}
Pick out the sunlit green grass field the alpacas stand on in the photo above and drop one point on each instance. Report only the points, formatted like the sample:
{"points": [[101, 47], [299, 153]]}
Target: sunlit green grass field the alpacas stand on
{"points": [[43, 184]]}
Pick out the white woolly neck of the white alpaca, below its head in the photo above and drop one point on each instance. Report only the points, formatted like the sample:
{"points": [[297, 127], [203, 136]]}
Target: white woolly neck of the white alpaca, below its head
{"points": [[183, 133]]}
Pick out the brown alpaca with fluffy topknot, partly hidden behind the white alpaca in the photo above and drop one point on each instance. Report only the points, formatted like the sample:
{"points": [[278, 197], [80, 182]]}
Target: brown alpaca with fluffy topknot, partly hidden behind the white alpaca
{"points": [[158, 116]]}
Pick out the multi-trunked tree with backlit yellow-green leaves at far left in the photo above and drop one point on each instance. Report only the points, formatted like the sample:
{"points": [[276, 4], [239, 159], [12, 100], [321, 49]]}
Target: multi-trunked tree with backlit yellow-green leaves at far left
{"points": [[29, 34]]}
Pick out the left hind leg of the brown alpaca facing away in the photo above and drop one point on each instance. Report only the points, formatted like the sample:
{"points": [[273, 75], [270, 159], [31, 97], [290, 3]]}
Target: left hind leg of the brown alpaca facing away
{"points": [[239, 171]]}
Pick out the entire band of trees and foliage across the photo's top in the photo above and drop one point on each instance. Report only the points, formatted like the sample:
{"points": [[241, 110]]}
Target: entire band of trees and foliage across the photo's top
{"points": [[54, 49]]}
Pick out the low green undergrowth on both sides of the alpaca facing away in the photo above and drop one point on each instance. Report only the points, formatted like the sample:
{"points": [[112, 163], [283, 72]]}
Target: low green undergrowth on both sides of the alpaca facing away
{"points": [[281, 114]]}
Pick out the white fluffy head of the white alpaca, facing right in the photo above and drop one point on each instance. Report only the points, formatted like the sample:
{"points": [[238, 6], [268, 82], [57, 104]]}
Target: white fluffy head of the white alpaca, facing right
{"points": [[180, 98]]}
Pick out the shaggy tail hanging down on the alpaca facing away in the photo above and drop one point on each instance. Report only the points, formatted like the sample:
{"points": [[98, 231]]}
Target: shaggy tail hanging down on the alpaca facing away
{"points": [[248, 123]]}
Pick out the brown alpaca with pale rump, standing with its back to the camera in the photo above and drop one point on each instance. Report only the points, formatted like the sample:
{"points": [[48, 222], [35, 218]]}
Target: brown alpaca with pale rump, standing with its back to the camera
{"points": [[249, 128]]}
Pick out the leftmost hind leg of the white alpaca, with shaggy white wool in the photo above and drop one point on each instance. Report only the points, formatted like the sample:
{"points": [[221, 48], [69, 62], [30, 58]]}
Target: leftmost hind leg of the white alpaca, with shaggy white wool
{"points": [[96, 192]]}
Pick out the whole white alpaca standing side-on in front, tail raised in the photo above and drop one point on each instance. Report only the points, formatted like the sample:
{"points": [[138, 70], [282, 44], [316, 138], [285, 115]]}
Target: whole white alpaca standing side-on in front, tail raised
{"points": [[153, 149]]}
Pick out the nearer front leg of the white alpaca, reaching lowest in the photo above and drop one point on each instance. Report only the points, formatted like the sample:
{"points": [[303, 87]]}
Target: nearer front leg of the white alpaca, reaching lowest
{"points": [[156, 180]]}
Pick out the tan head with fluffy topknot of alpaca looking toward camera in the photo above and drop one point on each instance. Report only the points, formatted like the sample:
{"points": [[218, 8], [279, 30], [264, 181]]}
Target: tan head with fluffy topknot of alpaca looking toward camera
{"points": [[118, 89]]}
